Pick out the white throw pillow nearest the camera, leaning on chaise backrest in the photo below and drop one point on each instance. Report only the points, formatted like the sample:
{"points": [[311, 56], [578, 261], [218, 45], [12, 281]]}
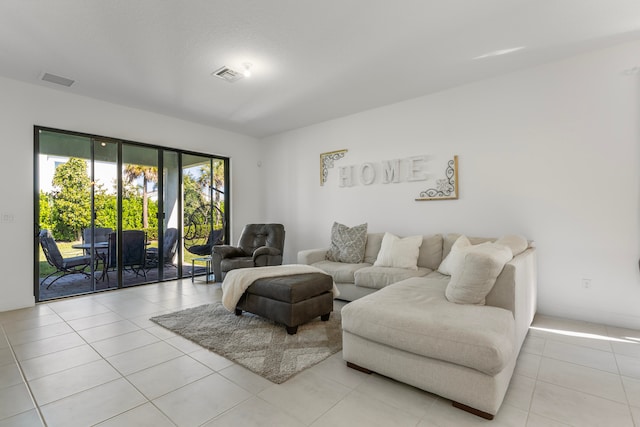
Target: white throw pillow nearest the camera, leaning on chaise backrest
{"points": [[474, 278]]}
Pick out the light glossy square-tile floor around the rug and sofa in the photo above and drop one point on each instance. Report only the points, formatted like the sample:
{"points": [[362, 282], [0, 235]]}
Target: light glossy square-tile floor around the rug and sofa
{"points": [[98, 360]]}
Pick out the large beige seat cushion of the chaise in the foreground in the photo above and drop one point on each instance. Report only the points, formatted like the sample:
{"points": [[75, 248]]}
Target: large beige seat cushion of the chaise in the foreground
{"points": [[413, 315]]}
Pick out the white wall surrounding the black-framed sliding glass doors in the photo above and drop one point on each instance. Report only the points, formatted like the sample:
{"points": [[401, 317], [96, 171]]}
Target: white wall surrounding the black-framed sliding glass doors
{"points": [[22, 106]]}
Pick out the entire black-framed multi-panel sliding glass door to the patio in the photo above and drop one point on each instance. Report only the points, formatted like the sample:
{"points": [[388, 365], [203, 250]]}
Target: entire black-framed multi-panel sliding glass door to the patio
{"points": [[113, 214]]}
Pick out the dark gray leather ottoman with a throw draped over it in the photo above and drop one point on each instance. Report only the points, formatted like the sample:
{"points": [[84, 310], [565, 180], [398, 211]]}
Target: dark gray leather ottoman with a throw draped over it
{"points": [[291, 300]]}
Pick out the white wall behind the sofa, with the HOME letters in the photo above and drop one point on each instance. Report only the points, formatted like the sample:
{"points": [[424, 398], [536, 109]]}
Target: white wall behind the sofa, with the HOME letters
{"points": [[550, 153]]}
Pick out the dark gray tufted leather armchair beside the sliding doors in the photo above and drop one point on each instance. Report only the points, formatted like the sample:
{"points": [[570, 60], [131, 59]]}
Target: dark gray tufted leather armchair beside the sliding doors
{"points": [[259, 245]]}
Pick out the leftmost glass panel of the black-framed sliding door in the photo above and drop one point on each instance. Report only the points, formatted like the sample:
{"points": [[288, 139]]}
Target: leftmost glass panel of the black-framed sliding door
{"points": [[66, 259]]}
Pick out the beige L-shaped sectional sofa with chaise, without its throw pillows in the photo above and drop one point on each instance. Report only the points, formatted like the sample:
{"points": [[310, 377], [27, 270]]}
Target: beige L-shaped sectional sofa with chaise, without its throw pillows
{"points": [[401, 324]]}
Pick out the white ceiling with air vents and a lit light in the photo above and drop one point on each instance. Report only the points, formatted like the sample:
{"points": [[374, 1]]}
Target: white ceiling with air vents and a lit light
{"points": [[311, 60]]}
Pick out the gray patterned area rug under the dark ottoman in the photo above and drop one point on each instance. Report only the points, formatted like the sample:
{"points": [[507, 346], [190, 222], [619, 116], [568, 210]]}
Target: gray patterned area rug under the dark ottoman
{"points": [[256, 343]]}
